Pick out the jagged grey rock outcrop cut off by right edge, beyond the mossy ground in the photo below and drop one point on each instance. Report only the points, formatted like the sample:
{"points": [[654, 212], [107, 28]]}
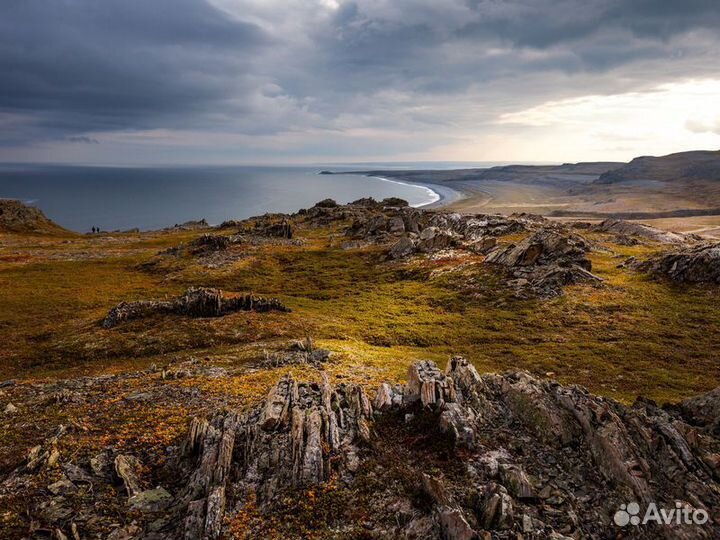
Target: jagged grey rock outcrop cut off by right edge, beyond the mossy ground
{"points": [[695, 264]]}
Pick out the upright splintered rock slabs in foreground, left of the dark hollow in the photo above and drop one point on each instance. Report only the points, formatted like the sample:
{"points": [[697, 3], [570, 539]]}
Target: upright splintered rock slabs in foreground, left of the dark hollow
{"points": [[301, 434]]}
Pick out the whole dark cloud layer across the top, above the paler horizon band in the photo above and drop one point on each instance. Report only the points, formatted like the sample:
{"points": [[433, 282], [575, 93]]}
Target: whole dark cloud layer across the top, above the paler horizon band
{"points": [[73, 68]]}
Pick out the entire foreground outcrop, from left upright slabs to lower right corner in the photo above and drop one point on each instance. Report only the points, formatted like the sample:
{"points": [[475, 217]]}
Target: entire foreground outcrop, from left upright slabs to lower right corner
{"points": [[538, 458]]}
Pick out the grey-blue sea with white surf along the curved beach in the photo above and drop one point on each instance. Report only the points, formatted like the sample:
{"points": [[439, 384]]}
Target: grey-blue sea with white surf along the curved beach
{"points": [[121, 198]]}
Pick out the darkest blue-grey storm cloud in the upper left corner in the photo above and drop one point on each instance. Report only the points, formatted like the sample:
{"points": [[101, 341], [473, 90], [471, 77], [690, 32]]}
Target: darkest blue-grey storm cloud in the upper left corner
{"points": [[83, 65]]}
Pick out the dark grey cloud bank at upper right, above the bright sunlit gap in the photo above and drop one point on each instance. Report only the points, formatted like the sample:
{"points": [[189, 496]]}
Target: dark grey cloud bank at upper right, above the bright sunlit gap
{"points": [[433, 47]]}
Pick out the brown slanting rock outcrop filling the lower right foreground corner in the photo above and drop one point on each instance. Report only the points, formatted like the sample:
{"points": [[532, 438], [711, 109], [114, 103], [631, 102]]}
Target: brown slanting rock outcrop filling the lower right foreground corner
{"points": [[547, 459]]}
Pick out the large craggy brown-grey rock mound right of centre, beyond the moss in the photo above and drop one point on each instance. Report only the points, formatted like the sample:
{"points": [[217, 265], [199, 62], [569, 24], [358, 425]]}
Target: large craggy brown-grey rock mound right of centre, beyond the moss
{"points": [[544, 262]]}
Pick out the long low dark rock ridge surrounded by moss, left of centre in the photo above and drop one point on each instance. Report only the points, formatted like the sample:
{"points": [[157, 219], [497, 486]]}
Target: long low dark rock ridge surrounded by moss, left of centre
{"points": [[196, 302]]}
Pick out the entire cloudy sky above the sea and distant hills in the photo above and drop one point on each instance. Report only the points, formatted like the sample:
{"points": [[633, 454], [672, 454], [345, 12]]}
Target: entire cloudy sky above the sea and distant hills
{"points": [[130, 82]]}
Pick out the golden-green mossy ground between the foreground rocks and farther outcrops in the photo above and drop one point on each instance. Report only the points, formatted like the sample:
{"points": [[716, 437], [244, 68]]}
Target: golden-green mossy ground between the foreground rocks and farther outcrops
{"points": [[631, 336]]}
